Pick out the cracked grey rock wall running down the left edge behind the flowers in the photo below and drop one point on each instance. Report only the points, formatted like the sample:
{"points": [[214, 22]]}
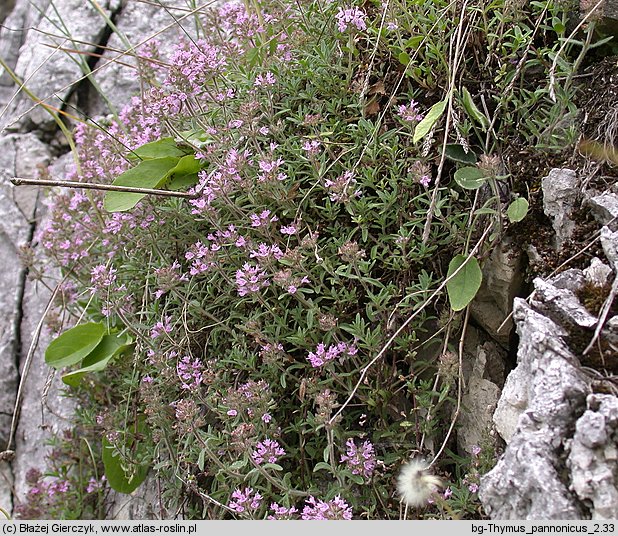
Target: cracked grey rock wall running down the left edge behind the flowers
{"points": [[51, 46]]}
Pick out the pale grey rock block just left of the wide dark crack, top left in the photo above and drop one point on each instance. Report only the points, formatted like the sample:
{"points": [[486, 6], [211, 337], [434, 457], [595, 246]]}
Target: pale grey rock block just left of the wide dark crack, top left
{"points": [[48, 72]]}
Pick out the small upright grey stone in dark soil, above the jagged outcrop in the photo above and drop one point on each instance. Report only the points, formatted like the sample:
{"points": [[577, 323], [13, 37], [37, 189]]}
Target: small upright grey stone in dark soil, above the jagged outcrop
{"points": [[560, 198]]}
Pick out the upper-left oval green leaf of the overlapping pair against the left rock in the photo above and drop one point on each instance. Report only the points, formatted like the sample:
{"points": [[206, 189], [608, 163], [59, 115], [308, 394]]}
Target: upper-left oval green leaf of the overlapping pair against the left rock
{"points": [[73, 345]]}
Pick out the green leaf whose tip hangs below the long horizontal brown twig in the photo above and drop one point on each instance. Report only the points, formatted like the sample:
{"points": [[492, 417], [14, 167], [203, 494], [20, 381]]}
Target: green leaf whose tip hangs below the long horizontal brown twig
{"points": [[147, 174]]}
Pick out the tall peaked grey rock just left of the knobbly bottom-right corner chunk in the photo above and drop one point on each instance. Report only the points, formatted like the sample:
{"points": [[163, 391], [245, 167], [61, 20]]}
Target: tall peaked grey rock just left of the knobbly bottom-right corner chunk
{"points": [[547, 392]]}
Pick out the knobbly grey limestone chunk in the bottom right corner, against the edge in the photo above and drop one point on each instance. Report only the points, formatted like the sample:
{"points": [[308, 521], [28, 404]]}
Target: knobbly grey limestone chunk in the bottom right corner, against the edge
{"points": [[593, 456]]}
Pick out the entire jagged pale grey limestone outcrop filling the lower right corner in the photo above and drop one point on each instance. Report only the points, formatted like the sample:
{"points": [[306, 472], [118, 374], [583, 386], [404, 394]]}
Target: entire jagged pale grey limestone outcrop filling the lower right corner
{"points": [[560, 459]]}
